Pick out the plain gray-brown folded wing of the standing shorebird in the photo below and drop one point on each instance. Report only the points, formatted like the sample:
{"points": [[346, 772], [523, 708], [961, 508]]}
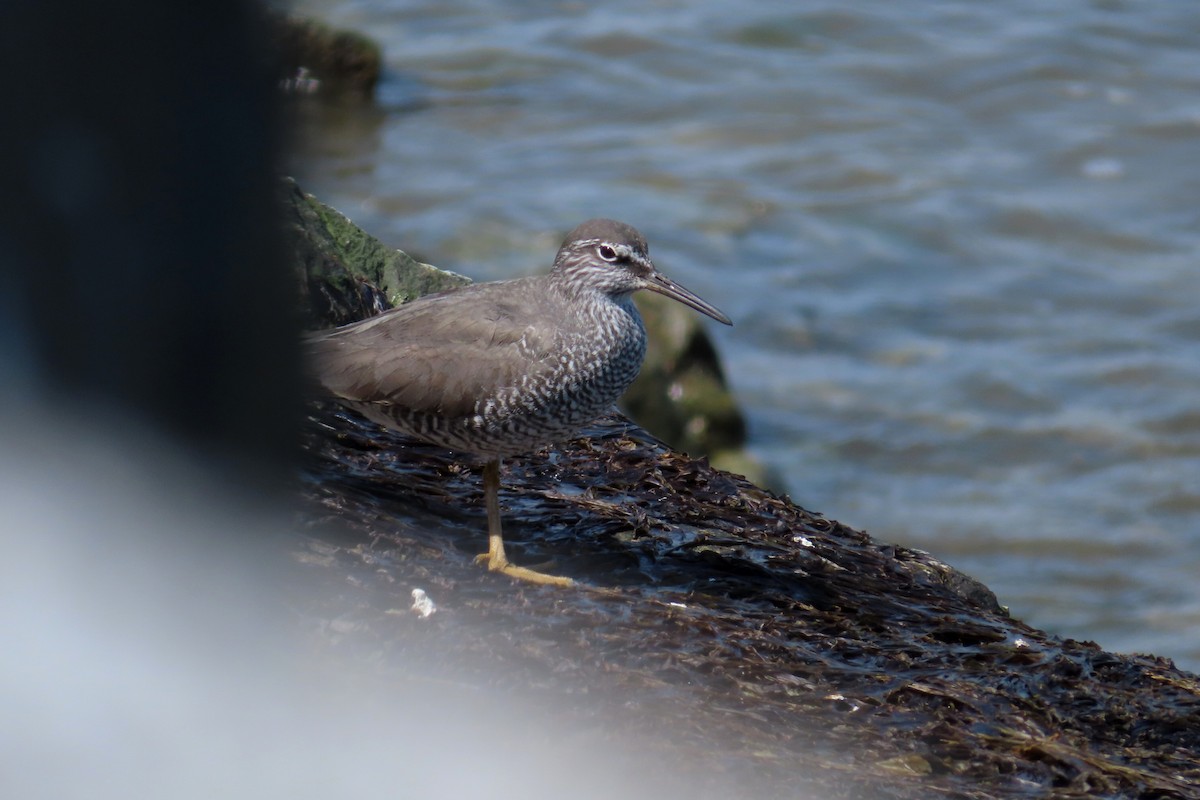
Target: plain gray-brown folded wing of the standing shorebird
{"points": [[437, 354]]}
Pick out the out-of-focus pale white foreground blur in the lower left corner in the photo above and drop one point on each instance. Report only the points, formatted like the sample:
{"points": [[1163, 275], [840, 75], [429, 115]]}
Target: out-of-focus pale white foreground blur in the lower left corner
{"points": [[147, 655]]}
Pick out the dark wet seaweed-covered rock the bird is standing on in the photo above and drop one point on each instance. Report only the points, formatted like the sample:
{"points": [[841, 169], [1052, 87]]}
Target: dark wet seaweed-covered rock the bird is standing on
{"points": [[761, 649]]}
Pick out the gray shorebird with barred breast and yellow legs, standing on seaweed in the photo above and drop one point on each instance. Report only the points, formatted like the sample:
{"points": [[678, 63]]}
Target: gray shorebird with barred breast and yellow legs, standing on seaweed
{"points": [[506, 368]]}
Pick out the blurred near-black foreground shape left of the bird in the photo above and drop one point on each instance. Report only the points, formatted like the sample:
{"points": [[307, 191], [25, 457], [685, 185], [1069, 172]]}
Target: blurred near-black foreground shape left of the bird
{"points": [[142, 280]]}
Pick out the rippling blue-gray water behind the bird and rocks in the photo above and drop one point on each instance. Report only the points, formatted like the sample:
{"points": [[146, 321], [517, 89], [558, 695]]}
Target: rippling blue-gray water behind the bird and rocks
{"points": [[961, 243]]}
